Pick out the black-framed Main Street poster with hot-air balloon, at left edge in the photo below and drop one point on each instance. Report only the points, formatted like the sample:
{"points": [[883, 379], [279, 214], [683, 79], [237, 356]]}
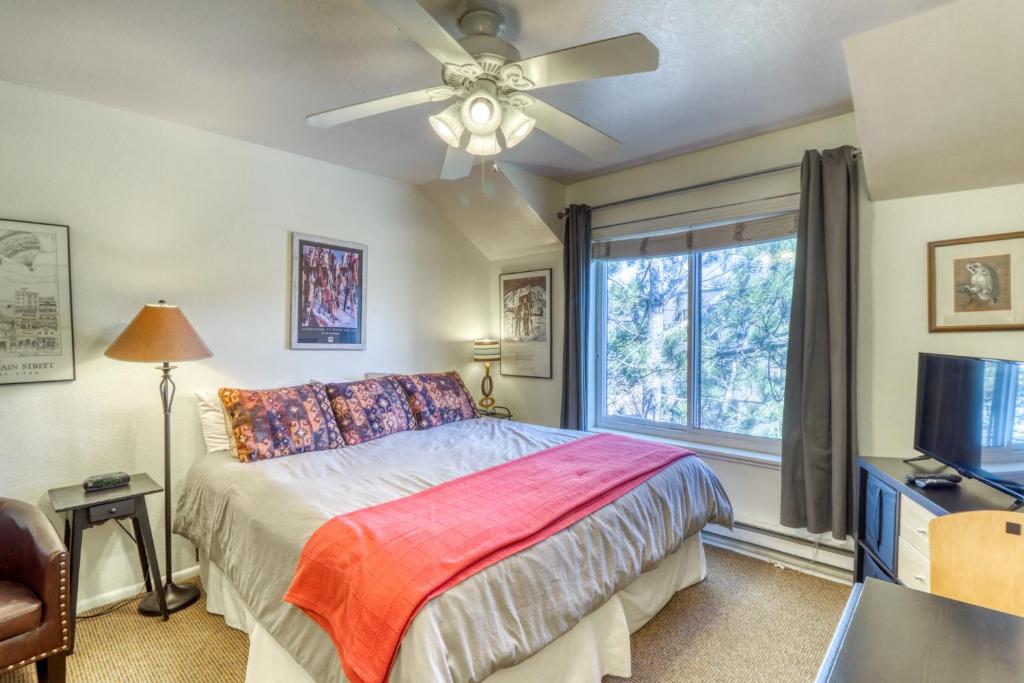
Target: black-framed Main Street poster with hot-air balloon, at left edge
{"points": [[37, 344]]}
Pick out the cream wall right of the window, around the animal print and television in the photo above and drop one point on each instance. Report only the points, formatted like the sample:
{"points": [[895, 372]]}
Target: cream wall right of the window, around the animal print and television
{"points": [[894, 304]]}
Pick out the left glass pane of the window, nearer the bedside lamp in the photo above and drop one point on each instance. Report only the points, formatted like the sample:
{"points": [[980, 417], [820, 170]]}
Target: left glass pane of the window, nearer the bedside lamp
{"points": [[647, 330]]}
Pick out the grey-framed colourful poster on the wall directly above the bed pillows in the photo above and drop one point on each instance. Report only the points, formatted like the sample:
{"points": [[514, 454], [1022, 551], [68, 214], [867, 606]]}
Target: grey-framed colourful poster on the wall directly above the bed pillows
{"points": [[329, 293]]}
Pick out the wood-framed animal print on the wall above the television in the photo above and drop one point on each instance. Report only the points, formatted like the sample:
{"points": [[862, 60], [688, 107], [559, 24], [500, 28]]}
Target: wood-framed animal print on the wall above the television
{"points": [[976, 284]]}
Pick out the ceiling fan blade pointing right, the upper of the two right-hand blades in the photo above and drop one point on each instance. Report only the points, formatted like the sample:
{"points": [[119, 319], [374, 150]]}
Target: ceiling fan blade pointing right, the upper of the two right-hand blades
{"points": [[632, 54]]}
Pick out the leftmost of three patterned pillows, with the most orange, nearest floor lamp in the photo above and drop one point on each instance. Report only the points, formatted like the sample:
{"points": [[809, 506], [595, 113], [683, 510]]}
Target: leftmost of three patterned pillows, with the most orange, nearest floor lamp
{"points": [[272, 423]]}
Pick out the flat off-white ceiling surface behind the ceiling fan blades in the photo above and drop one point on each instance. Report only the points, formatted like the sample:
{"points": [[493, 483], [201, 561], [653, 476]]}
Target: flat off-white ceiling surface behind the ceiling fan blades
{"points": [[253, 69]]}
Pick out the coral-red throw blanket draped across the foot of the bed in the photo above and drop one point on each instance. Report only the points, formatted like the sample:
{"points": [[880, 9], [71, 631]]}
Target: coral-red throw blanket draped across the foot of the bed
{"points": [[364, 576]]}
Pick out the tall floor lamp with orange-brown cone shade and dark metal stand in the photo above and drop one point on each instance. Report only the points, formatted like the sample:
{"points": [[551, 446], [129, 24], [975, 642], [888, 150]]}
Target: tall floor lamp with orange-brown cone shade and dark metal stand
{"points": [[161, 333]]}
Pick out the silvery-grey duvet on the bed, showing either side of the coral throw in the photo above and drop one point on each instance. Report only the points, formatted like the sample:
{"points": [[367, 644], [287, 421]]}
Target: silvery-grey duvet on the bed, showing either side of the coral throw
{"points": [[252, 520]]}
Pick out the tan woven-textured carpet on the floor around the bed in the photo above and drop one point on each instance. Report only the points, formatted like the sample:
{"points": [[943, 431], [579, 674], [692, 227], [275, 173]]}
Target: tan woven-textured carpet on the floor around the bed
{"points": [[748, 622]]}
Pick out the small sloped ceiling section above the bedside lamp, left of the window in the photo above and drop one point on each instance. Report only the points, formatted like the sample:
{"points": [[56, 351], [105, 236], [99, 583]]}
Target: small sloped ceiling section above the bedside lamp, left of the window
{"points": [[505, 211]]}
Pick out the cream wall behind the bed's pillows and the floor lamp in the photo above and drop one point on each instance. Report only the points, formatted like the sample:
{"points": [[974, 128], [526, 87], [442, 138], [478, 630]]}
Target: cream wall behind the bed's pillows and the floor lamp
{"points": [[162, 211]]}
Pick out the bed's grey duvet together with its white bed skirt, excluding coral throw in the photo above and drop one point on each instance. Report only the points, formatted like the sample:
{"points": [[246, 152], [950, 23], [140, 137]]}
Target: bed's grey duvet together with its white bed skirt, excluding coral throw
{"points": [[562, 610]]}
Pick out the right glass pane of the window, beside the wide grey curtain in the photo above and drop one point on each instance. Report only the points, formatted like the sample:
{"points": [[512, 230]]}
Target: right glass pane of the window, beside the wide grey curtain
{"points": [[745, 327]]}
